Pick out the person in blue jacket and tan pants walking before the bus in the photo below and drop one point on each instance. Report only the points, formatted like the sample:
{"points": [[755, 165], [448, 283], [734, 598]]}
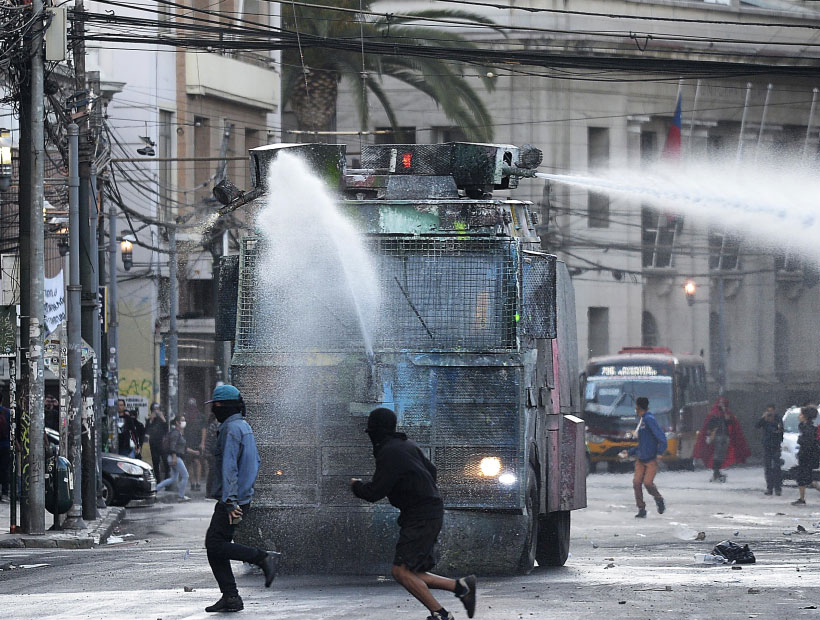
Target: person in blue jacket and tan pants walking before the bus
{"points": [[651, 444]]}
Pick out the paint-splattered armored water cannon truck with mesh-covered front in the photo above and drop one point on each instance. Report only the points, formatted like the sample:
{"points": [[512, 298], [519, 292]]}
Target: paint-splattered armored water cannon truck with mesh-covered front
{"points": [[474, 349]]}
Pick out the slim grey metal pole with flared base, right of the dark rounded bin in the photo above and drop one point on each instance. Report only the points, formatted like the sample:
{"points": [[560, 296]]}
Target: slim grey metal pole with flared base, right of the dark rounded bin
{"points": [[74, 519]]}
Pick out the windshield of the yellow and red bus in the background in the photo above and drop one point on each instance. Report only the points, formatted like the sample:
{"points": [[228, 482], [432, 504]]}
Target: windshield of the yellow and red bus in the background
{"points": [[616, 397]]}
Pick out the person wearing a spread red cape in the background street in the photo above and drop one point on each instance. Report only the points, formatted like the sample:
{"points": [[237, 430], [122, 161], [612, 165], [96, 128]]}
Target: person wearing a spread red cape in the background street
{"points": [[721, 442]]}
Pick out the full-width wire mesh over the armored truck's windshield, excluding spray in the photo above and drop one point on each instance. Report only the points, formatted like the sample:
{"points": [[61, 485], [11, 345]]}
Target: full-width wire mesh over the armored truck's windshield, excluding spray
{"points": [[438, 294]]}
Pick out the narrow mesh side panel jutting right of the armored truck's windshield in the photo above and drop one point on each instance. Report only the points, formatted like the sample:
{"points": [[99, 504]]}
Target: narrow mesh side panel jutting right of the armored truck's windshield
{"points": [[538, 311]]}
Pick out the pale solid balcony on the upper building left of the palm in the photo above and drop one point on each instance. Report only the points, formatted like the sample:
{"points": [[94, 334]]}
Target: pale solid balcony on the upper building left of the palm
{"points": [[231, 79]]}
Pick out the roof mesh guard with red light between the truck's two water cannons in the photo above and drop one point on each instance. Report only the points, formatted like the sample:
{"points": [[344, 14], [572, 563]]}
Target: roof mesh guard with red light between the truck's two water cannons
{"points": [[419, 159]]}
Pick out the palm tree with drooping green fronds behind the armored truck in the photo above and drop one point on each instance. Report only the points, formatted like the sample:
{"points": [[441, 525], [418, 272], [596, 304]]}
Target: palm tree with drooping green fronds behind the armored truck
{"points": [[312, 92]]}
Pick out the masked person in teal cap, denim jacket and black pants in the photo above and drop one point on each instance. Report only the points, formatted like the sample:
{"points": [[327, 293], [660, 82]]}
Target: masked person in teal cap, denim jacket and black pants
{"points": [[235, 469]]}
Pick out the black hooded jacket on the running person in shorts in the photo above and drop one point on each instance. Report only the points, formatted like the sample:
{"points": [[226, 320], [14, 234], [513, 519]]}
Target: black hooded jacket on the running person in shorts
{"points": [[407, 478]]}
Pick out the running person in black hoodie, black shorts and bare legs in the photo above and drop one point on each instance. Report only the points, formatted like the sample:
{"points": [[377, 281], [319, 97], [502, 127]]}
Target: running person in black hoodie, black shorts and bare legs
{"points": [[408, 480]]}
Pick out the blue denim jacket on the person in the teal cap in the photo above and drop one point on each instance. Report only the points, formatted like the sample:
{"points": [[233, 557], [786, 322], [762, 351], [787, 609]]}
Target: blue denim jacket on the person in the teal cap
{"points": [[237, 462]]}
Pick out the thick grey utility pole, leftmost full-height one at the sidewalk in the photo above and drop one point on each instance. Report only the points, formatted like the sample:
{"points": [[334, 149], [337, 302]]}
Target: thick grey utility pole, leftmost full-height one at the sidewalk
{"points": [[33, 498]]}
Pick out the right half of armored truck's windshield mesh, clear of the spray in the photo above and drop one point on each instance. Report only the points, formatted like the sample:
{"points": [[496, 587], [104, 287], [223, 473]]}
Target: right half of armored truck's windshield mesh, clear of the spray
{"points": [[447, 294]]}
